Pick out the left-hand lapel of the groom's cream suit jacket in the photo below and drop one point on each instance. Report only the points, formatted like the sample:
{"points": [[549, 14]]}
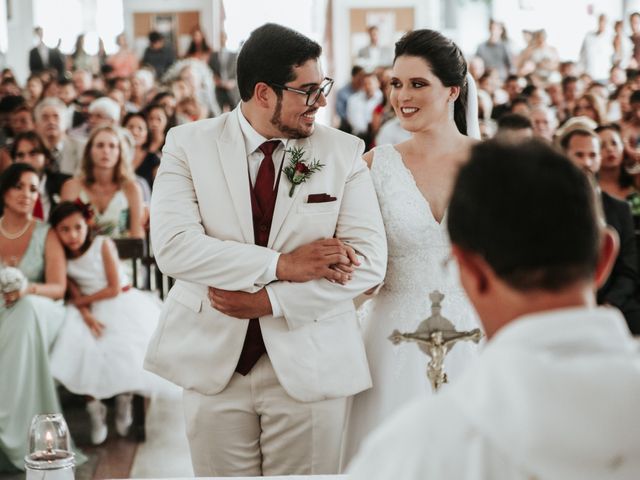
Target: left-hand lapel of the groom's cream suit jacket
{"points": [[233, 158]]}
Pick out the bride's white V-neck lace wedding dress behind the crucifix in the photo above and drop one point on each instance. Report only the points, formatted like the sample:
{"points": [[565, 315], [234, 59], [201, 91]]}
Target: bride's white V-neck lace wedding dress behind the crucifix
{"points": [[418, 249]]}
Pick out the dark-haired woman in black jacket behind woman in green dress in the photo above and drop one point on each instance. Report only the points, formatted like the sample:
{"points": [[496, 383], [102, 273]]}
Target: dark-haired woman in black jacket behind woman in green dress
{"points": [[29, 148]]}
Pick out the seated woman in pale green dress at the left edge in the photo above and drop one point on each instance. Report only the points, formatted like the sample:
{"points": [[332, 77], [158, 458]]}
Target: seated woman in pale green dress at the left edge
{"points": [[29, 318]]}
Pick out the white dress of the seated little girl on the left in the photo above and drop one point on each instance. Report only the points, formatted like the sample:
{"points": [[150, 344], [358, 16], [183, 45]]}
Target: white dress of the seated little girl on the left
{"points": [[111, 364]]}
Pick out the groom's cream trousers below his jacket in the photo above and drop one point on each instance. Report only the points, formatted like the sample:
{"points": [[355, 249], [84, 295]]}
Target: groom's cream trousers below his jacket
{"points": [[253, 427]]}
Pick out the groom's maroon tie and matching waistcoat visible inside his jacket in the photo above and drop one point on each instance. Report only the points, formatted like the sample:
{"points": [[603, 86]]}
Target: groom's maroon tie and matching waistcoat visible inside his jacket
{"points": [[263, 200]]}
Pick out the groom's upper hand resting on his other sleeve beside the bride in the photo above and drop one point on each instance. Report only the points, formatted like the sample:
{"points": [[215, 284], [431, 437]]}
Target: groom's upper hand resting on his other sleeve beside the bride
{"points": [[316, 259]]}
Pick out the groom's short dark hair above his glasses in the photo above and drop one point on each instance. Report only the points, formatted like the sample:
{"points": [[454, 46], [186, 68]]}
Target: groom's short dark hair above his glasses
{"points": [[269, 55]]}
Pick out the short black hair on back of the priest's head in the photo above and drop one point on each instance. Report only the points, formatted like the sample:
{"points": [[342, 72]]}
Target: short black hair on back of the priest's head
{"points": [[529, 213]]}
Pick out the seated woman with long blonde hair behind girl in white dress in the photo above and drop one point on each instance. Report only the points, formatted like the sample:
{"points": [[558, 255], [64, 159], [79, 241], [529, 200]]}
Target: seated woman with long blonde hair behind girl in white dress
{"points": [[107, 183]]}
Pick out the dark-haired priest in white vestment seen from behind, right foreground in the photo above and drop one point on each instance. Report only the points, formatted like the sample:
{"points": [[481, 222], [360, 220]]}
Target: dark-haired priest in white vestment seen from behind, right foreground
{"points": [[554, 394]]}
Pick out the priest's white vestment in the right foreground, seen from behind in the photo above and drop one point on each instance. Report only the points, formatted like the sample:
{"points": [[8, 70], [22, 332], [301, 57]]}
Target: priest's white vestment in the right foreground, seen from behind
{"points": [[555, 395]]}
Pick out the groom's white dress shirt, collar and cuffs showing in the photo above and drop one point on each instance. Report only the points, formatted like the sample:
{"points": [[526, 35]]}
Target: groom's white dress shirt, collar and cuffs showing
{"points": [[252, 142]]}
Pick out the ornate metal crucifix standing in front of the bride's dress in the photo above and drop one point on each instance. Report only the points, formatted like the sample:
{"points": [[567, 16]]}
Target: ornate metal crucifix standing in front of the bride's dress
{"points": [[435, 336]]}
